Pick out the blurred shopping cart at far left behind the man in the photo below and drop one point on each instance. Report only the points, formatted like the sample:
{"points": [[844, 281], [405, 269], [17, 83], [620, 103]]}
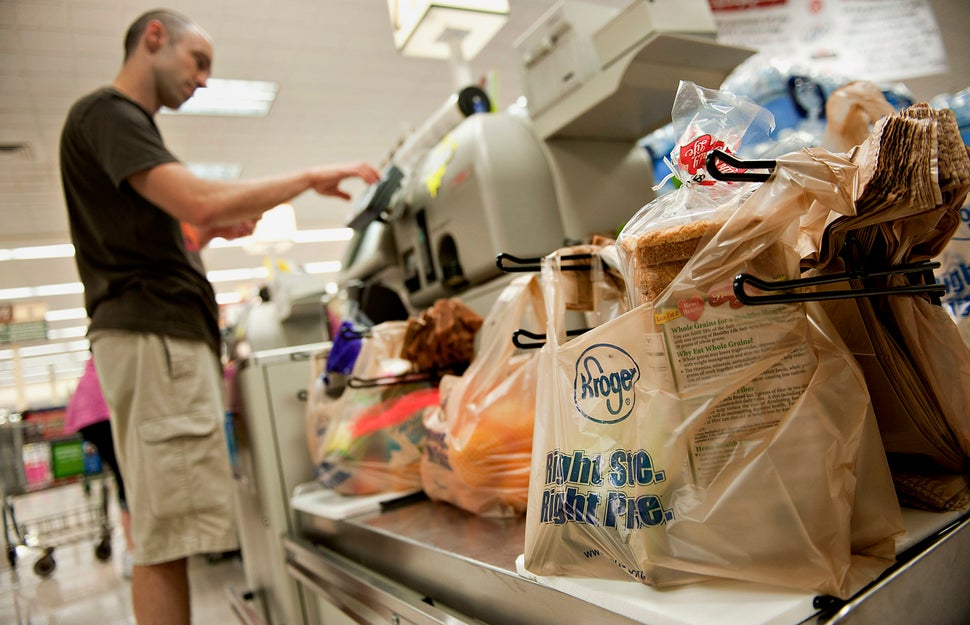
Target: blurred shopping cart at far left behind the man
{"points": [[24, 448]]}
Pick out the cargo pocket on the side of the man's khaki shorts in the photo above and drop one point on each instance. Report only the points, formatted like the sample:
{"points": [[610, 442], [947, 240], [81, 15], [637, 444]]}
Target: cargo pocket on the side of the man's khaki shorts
{"points": [[184, 464]]}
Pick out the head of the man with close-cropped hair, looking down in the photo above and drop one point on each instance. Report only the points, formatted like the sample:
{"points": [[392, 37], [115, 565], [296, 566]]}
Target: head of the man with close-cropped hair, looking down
{"points": [[175, 51]]}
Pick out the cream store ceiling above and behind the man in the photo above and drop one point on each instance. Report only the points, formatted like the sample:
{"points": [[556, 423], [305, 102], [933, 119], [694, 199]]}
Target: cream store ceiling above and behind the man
{"points": [[345, 93]]}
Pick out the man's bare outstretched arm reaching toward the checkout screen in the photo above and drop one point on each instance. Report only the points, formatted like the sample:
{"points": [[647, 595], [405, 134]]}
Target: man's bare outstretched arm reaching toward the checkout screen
{"points": [[214, 203]]}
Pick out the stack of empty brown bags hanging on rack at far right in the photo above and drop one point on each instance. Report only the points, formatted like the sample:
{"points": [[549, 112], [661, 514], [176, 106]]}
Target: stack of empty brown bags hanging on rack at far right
{"points": [[914, 177]]}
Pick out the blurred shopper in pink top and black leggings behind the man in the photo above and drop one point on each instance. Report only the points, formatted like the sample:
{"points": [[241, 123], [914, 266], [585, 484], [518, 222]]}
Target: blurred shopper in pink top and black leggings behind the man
{"points": [[88, 414]]}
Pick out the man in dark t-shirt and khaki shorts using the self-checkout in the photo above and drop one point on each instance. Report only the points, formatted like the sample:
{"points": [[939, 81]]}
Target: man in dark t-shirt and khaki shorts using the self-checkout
{"points": [[154, 320]]}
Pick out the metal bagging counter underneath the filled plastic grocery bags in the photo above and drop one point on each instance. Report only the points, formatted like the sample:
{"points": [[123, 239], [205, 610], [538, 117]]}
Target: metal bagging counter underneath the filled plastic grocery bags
{"points": [[417, 561]]}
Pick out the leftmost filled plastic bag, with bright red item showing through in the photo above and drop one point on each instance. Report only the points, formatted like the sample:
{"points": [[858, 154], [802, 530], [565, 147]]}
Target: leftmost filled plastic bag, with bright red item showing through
{"points": [[373, 437]]}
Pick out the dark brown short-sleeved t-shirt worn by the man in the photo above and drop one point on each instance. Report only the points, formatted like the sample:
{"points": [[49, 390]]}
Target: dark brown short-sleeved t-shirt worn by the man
{"points": [[130, 254]]}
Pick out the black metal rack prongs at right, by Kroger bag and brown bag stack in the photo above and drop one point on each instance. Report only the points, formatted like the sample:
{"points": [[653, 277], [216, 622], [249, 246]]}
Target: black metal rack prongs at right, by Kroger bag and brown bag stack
{"points": [[850, 254]]}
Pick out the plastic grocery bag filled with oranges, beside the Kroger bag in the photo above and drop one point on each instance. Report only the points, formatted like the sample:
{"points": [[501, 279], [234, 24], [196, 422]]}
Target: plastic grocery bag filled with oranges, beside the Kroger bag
{"points": [[479, 445]]}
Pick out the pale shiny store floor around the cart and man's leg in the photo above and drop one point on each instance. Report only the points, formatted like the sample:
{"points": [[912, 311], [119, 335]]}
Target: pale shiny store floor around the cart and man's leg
{"points": [[82, 589]]}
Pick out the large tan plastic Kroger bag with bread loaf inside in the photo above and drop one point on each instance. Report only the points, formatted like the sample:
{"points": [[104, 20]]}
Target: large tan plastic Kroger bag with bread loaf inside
{"points": [[696, 436]]}
